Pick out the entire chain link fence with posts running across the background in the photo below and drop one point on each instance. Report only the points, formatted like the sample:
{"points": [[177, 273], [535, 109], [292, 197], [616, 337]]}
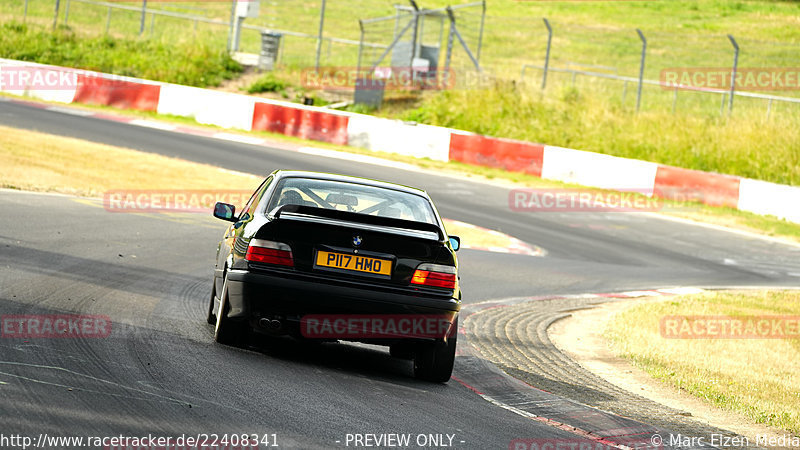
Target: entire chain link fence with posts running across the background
{"points": [[604, 61]]}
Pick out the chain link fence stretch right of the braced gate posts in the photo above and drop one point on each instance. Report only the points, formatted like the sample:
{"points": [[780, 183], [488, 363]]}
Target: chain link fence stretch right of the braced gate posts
{"points": [[606, 62]]}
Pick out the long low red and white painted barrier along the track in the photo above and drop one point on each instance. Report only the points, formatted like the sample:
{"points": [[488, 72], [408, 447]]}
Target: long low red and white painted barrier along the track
{"points": [[230, 110]]}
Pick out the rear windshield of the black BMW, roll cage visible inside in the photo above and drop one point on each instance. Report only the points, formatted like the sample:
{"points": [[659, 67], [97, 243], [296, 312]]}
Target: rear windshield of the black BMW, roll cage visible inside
{"points": [[352, 197]]}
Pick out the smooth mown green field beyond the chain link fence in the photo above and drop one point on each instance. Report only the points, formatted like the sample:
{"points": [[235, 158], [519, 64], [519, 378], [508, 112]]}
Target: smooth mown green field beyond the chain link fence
{"points": [[680, 33]]}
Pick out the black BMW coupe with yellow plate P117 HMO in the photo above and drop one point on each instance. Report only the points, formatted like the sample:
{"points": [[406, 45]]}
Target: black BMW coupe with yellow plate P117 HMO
{"points": [[328, 257]]}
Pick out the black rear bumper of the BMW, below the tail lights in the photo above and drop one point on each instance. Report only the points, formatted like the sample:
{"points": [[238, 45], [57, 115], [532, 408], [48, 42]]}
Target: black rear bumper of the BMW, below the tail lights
{"points": [[288, 297]]}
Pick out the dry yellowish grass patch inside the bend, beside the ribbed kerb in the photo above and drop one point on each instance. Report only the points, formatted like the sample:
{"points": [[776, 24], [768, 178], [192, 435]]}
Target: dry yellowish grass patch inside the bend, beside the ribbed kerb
{"points": [[755, 377]]}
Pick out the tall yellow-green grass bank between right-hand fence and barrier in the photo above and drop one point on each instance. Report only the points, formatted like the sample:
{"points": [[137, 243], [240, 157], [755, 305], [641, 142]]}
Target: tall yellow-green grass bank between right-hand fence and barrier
{"points": [[747, 145]]}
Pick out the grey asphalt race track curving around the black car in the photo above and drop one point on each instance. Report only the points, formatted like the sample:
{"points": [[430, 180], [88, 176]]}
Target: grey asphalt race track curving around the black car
{"points": [[161, 373]]}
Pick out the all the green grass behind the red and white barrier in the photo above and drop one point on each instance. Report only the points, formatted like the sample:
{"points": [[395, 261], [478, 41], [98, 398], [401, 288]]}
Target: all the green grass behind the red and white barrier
{"points": [[584, 113]]}
